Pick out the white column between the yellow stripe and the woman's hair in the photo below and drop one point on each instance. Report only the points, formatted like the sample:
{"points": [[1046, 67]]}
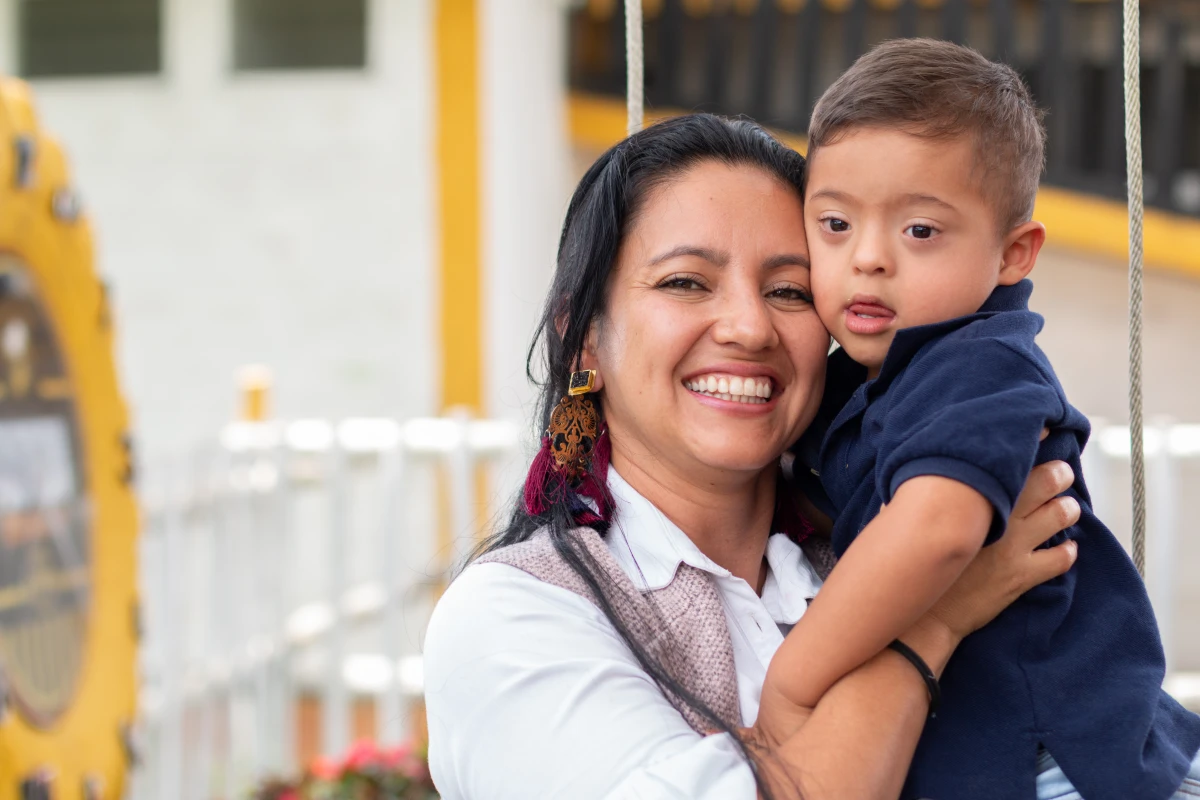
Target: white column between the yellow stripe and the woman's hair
{"points": [[526, 183]]}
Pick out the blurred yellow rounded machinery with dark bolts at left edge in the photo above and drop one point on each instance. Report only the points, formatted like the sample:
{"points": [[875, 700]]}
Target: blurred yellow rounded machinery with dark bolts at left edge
{"points": [[68, 515]]}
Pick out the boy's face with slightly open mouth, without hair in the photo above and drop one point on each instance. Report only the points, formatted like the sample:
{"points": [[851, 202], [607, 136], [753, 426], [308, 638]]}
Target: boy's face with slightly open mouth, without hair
{"points": [[901, 236]]}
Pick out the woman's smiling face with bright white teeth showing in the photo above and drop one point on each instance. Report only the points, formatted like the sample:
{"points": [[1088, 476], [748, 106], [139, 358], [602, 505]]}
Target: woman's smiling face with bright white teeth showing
{"points": [[710, 353]]}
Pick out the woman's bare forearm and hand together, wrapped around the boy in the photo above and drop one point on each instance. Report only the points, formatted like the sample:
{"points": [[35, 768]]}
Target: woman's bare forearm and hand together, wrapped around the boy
{"points": [[860, 739]]}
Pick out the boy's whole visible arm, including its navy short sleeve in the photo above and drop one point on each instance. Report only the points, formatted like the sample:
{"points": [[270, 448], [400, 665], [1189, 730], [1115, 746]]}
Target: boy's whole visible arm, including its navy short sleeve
{"points": [[962, 438]]}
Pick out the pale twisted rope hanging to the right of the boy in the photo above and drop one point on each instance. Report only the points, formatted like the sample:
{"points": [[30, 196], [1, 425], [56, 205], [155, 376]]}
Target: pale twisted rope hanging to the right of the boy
{"points": [[1133, 167]]}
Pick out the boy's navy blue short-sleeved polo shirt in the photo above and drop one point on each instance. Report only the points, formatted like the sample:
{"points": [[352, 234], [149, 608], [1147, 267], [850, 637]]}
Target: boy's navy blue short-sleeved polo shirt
{"points": [[1077, 664]]}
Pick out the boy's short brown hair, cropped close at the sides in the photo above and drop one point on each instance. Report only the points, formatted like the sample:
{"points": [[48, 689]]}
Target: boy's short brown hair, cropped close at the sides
{"points": [[940, 91]]}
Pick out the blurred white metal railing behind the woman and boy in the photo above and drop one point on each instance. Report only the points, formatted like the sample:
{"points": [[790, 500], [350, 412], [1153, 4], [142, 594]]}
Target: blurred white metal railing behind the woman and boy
{"points": [[305, 557]]}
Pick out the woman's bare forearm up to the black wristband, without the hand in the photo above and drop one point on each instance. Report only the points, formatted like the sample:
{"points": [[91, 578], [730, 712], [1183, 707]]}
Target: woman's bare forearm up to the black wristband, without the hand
{"points": [[860, 741]]}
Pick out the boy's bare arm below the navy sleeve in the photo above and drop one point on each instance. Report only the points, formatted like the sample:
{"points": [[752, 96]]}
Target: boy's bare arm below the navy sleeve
{"points": [[902, 563]]}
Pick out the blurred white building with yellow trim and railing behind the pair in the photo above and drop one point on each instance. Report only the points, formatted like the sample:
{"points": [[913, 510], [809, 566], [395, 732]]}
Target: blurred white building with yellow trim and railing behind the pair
{"points": [[364, 196]]}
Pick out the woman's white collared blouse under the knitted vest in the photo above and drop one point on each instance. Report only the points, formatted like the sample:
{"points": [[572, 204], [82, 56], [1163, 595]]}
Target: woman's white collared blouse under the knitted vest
{"points": [[531, 693]]}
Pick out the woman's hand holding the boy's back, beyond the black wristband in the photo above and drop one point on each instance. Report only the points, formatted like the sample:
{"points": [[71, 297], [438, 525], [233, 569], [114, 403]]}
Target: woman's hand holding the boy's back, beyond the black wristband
{"points": [[1006, 570]]}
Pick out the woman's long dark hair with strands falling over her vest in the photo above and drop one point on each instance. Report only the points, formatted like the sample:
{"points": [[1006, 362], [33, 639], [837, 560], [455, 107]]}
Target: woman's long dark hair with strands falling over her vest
{"points": [[604, 207]]}
